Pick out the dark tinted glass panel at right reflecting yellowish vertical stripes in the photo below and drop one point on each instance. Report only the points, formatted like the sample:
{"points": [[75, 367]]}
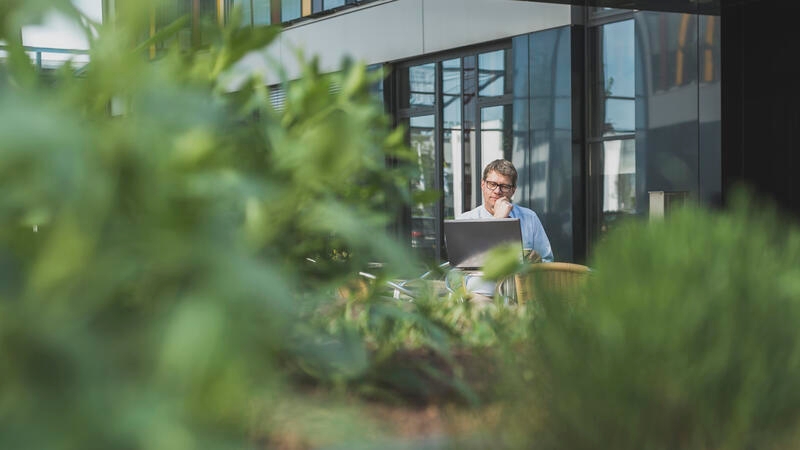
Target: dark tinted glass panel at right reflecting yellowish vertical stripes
{"points": [[668, 106]]}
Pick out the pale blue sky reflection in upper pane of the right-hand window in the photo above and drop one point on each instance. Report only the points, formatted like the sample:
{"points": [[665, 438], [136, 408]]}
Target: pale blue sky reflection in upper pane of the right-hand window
{"points": [[618, 58]]}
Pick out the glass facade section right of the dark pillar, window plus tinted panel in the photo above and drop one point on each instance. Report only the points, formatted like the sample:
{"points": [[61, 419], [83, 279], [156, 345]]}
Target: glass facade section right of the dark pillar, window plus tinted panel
{"points": [[654, 114]]}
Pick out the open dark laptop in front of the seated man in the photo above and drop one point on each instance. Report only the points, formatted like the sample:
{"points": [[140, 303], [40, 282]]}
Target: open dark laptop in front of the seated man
{"points": [[469, 241]]}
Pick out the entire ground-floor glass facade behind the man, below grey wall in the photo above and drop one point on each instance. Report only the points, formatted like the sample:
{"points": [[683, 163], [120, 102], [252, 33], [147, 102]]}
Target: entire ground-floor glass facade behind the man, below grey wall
{"points": [[593, 125]]}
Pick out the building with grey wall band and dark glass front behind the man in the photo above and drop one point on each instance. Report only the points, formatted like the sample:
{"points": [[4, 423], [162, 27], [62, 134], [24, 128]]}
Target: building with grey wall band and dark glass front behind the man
{"points": [[596, 106]]}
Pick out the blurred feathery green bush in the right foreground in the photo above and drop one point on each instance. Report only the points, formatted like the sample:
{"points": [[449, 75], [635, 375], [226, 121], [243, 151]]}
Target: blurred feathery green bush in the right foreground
{"points": [[688, 339]]}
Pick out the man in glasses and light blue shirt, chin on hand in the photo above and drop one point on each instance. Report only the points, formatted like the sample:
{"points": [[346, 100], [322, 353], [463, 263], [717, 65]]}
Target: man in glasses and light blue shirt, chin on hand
{"points": [[498, 186]]}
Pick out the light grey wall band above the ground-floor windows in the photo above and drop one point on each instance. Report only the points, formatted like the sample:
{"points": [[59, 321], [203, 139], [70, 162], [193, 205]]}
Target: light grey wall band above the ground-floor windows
{"points": [[396, 29]]}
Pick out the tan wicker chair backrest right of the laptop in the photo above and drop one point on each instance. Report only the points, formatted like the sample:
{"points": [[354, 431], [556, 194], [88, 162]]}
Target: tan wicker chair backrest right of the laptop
{"points": [[559, 278]]}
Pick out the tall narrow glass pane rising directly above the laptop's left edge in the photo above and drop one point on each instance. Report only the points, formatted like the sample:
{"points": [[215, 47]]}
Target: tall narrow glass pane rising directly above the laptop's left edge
{"points": [[451, 139]]}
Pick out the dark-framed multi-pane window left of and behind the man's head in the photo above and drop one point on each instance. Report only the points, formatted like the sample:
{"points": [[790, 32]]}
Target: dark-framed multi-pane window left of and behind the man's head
{"points": [[458, 113]]}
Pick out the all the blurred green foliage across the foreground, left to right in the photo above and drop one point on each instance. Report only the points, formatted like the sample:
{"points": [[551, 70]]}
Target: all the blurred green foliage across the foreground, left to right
{"points": [[179, 268]]}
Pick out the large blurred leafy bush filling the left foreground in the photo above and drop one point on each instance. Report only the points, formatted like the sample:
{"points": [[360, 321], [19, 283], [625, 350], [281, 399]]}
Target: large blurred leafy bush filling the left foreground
{"points": [[155, 256]]}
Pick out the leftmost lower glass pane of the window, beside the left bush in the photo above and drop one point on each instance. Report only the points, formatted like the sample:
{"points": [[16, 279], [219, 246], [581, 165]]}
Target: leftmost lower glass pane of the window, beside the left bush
{"points": [[424, 237]]}
